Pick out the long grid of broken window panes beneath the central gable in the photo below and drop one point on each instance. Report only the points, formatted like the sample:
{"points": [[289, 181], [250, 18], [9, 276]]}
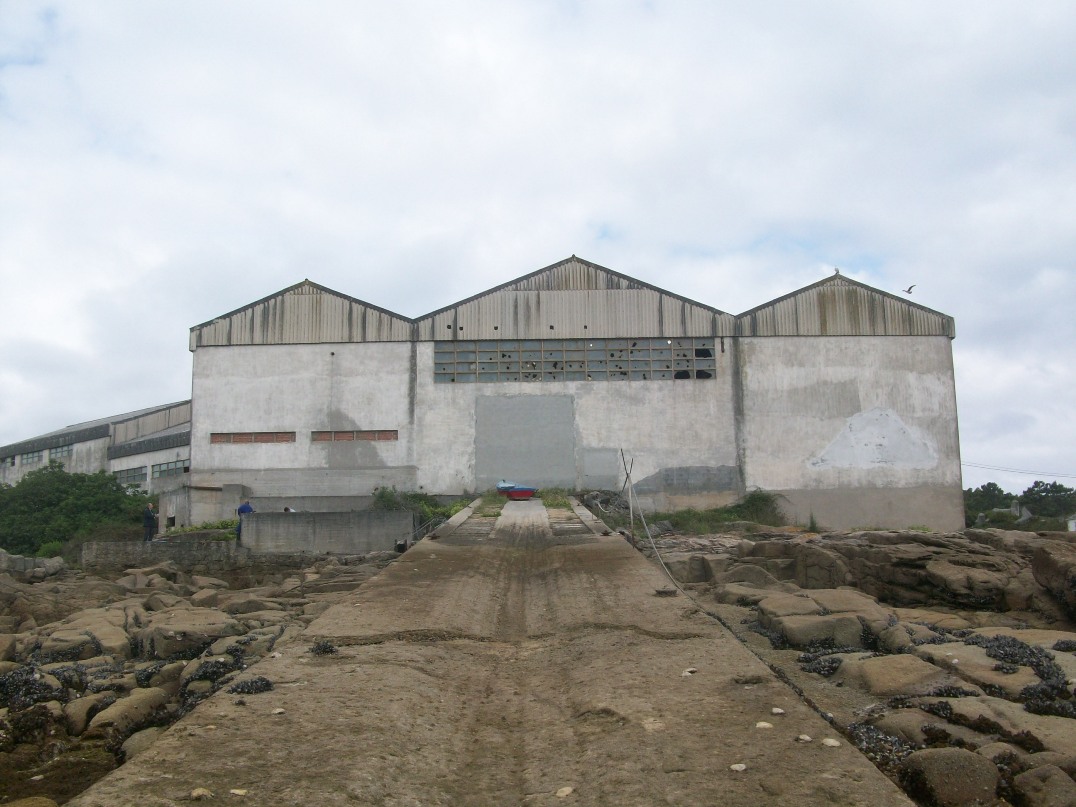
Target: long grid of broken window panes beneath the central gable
{"points": [[575, 360]]}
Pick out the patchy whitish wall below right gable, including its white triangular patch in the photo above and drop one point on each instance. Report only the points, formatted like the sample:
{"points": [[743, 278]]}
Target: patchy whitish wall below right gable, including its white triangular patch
{"points": [[856, 431]]}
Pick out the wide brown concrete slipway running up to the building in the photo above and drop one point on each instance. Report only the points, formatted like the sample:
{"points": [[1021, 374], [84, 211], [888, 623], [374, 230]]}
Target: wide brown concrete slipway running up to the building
{"points": [[519, 661]]}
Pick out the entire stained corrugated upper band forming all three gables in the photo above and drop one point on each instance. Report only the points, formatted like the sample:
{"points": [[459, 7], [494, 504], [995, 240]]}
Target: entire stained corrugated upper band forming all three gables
{"points": [[572, 299]]}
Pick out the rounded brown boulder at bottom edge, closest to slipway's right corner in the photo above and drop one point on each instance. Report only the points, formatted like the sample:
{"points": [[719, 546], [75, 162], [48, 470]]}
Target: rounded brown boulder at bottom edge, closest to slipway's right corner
{"points": [[951, 777]]}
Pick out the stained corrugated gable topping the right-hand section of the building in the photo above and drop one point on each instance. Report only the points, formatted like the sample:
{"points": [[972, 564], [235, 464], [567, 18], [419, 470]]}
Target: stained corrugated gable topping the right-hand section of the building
{"points": [[840, 306]]}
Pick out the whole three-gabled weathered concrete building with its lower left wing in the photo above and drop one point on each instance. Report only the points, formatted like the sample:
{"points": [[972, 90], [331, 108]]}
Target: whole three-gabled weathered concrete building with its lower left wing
{"points": [[839, 398]]}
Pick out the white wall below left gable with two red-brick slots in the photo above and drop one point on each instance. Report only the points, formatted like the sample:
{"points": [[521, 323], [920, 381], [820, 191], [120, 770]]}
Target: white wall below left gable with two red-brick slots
{"points": [[304, 389]]}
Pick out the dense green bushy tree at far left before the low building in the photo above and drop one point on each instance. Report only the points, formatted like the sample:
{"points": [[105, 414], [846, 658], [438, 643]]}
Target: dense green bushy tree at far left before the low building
{"points": [[51, 505]]}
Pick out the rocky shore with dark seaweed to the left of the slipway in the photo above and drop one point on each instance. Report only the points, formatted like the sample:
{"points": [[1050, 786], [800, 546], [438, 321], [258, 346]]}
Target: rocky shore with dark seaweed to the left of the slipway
{"points": [[93, 671]]}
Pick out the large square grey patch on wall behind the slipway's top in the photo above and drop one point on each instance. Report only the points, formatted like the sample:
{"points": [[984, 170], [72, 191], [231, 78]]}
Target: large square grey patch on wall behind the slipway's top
{"points": [[529, 440]]}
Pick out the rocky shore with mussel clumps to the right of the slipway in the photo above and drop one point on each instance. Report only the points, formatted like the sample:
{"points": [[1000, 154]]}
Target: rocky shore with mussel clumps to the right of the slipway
{"points": [[950, 660]]}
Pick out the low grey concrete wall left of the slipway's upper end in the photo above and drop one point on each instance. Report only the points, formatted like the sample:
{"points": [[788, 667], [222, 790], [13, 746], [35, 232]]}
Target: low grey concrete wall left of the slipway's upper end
{"points": [[339, 533]]}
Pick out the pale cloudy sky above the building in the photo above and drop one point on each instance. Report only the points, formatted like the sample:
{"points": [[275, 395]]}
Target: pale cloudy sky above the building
{"points": [[166, 163]]}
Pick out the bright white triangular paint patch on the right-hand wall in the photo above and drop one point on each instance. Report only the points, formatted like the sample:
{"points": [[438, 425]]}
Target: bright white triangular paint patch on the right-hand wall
{"points": [[877, 438]]}
